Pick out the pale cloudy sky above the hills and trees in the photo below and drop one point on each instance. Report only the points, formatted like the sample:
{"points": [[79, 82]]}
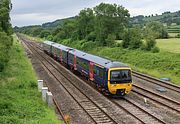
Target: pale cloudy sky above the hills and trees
{"points": [[36, 12]]}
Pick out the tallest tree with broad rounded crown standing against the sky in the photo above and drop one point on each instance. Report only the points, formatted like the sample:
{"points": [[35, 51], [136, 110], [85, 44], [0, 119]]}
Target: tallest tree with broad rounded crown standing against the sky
{"points": [[110, 19]]}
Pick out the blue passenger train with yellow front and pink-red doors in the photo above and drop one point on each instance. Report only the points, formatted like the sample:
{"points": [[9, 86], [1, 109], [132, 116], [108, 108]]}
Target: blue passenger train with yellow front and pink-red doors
{"points": [[111, 77]]}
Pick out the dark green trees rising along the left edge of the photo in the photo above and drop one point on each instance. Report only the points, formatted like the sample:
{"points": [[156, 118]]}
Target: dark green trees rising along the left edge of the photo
{"points": [[5, 32]]}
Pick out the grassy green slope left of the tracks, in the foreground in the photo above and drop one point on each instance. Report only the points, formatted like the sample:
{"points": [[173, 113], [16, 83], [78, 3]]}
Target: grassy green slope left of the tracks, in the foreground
{"points": [[20, 101]]}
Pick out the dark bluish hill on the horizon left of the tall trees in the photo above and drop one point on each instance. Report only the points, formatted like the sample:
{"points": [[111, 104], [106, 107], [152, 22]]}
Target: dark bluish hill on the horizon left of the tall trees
{"points": [[56, 23]]}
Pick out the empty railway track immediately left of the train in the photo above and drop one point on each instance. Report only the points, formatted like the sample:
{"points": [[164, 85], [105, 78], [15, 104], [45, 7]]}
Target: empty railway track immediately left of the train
{"points": [[96, 113]]}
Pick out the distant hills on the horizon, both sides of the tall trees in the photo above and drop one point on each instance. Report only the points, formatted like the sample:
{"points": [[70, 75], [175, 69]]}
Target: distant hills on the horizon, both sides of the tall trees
{"points": [[170, 19]]}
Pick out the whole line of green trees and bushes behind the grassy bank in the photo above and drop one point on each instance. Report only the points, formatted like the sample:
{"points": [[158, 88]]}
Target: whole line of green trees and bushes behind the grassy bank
{"points": [[103, 24]]}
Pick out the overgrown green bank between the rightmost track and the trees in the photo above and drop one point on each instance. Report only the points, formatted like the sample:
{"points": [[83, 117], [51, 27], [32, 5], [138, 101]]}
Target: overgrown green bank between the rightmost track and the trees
{"points": [[162, 64]]}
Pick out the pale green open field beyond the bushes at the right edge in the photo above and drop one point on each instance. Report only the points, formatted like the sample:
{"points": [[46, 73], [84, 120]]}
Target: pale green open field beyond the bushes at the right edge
{"points": [[170, 45]]}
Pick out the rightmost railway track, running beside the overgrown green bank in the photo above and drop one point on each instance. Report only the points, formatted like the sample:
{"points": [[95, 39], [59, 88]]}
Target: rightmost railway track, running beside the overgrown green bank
{"points": [[156, 81]]}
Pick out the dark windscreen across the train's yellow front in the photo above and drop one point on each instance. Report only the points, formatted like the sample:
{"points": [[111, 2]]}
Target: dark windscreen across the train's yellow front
{"points": [[120, 76]]}
